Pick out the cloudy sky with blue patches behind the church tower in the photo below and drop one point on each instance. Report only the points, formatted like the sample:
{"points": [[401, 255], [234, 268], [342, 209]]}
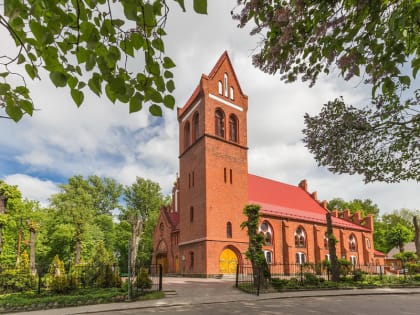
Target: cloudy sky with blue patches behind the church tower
{"points": [[103, 139]]}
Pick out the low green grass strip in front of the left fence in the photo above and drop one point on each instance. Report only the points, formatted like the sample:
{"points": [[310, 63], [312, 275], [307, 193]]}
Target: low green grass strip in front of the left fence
{"points": [[32, 301]]}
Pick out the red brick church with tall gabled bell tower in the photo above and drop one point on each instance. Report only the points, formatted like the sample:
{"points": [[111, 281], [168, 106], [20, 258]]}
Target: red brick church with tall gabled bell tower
{"points": [[200, 234]]}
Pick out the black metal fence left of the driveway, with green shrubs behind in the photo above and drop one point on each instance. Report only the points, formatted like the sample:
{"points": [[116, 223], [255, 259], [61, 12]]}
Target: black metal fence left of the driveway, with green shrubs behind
{"points": [[82, 276]]}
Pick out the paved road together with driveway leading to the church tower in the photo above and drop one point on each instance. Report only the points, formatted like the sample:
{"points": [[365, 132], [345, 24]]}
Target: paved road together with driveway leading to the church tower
{"points": [[214, 296]]}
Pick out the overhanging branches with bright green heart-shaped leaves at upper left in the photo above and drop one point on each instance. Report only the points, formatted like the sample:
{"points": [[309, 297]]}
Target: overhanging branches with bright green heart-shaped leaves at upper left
{"points": [[87, 44]]}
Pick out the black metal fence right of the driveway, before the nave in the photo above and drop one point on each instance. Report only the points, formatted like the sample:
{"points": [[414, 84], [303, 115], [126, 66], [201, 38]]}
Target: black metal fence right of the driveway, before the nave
{"points": [[296, 275]]}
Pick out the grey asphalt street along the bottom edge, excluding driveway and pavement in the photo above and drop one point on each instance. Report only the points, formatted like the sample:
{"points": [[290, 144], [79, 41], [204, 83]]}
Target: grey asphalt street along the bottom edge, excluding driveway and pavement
{"points": [[343, 305]]}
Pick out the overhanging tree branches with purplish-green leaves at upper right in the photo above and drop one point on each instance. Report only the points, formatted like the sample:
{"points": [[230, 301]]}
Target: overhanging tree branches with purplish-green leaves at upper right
{"points": [[376, 41]]}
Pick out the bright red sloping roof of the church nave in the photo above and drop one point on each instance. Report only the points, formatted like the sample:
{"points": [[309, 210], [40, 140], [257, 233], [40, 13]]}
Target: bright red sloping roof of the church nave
{"points": [[292, 202]]}
